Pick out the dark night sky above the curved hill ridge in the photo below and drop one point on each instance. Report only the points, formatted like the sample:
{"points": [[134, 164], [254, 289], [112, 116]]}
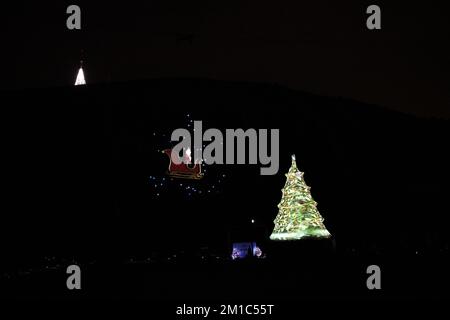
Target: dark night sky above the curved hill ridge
{"points": [[322, 47]]}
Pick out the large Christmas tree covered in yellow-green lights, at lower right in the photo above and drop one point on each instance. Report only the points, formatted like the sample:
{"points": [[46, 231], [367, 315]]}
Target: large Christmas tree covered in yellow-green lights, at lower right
{"points": [[298, 216]]}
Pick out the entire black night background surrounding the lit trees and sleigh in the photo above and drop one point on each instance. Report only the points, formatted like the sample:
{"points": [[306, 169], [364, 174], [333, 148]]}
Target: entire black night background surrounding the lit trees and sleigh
{"points": [[77, 159]]}
